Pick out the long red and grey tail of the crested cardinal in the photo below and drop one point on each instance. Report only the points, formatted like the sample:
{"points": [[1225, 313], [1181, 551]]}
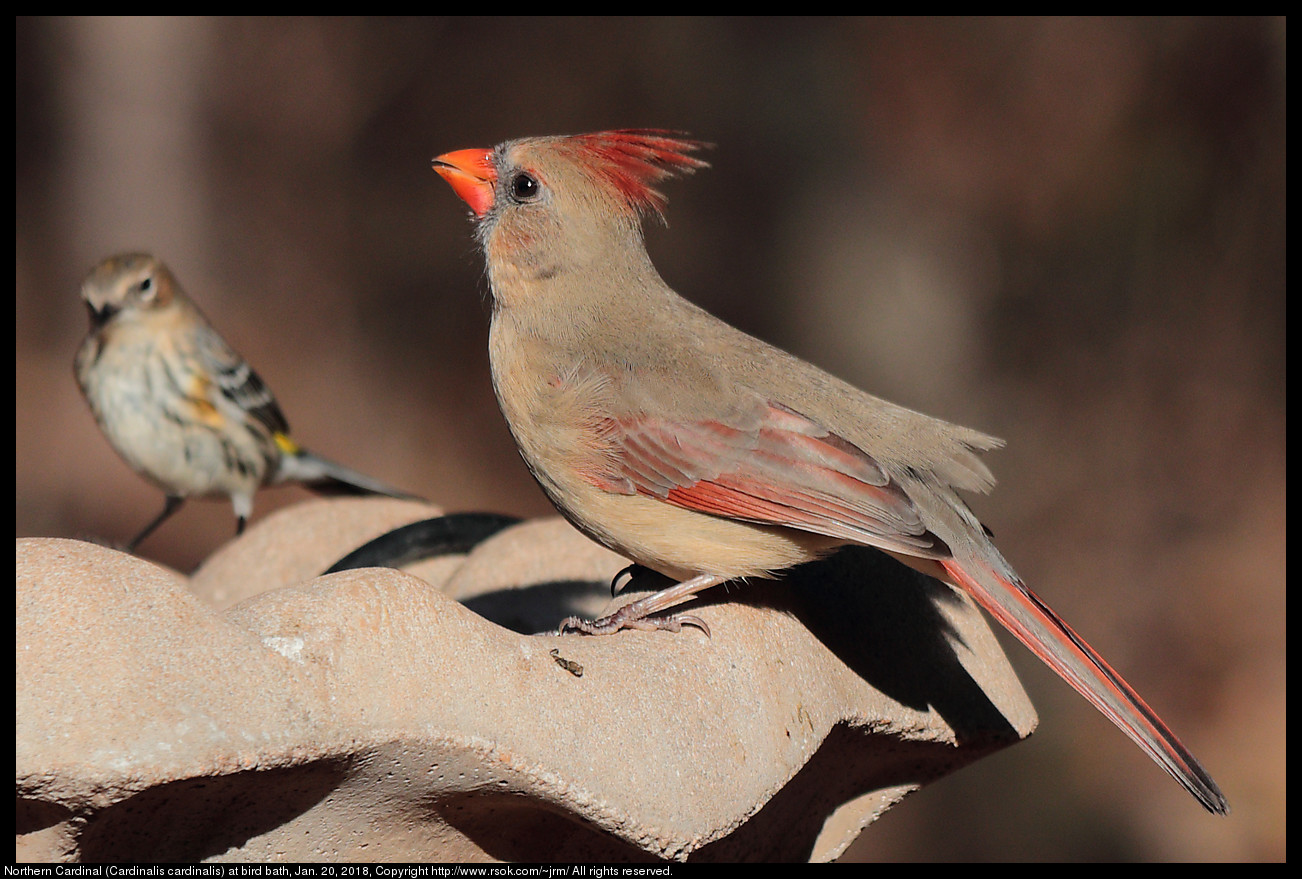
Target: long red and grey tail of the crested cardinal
{"points": [[1063, 650]]}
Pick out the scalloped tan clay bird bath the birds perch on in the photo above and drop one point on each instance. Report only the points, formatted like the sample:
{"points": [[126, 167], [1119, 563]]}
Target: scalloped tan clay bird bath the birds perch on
{"points": [[261, 712]]}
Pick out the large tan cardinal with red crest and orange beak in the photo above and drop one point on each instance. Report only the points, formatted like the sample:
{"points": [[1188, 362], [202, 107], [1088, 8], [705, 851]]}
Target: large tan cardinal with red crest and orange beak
{"points": [[702, 453]]}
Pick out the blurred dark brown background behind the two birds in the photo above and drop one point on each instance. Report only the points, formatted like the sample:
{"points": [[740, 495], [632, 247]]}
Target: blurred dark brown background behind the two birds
{"points": [[1064, 232]]}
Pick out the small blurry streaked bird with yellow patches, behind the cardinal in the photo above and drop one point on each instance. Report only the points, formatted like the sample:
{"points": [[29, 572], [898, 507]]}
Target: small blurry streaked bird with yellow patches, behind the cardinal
{"points": [[180, 406]]}
